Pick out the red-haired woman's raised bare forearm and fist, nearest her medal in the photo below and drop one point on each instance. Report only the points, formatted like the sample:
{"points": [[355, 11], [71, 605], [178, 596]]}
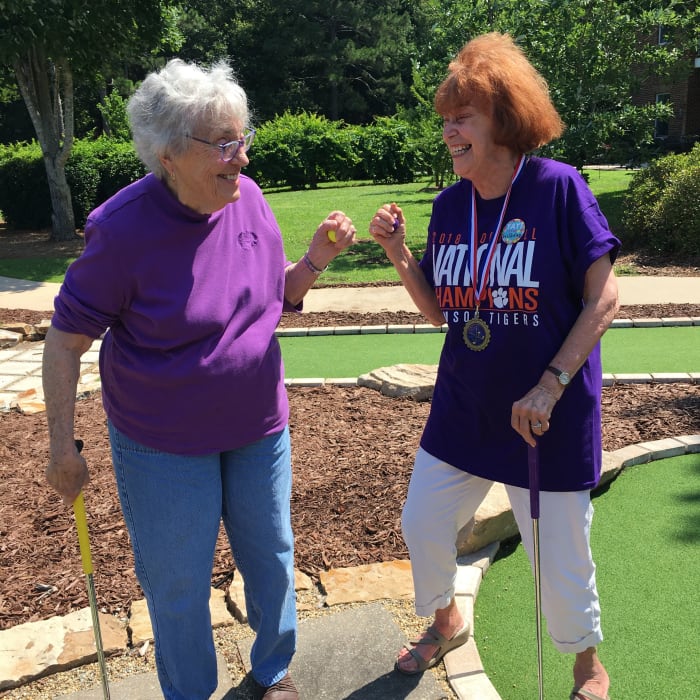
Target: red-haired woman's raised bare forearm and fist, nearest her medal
{"points": [[394, 244]]}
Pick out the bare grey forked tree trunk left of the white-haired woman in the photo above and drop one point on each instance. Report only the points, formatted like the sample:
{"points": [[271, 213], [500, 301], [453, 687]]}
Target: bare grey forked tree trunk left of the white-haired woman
{"points": [[47, 89]]}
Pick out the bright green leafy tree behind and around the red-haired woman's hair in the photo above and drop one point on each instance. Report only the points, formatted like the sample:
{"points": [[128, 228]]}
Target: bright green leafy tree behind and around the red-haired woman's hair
{"points": [[590, 52]]}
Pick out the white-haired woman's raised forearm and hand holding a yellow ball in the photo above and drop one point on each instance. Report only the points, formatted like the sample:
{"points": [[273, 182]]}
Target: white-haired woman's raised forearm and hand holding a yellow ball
{"points": [[301, 275]]}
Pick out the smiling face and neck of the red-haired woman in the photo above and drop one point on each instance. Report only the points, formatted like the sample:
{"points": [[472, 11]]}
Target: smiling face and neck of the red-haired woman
{"points": [[475, 155]]}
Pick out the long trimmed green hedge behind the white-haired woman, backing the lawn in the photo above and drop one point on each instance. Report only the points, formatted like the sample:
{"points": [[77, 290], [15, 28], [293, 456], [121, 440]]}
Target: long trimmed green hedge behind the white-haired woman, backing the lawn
{"points": [[291, 150]]}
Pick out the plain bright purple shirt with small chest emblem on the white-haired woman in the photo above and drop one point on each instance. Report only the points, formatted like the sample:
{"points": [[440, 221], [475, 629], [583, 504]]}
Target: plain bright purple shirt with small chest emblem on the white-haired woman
{"points": [[190, 363]]}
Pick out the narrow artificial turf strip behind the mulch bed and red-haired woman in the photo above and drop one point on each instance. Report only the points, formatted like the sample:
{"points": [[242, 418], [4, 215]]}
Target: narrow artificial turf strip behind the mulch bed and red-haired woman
{"points": [[629, 350]]}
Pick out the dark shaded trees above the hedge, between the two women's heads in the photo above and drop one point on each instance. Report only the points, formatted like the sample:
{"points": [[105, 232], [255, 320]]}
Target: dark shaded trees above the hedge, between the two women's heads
{"points": [[345, 59]]}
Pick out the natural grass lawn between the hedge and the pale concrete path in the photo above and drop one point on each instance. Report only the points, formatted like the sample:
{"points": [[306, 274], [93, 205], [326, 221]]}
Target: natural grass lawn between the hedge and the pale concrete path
{"points": [[299, 213]]}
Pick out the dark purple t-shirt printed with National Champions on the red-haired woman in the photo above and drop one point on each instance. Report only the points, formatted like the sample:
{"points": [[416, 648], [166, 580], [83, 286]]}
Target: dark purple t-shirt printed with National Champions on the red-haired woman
{"points": [[553, 230]]}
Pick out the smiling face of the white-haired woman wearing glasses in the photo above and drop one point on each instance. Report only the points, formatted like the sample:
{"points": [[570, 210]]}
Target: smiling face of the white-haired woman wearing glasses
{"points": [[199, 178]]}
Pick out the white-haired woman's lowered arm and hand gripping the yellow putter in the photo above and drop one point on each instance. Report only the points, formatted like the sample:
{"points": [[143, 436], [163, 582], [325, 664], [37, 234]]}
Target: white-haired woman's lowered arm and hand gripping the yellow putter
{"points": [[67, 470]]}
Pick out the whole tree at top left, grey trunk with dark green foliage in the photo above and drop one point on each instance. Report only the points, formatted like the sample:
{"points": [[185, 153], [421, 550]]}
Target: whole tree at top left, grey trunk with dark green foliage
{"points": [[47, 45]]}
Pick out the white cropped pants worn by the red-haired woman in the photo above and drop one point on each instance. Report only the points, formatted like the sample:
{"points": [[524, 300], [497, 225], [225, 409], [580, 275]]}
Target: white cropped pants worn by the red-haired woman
{"points": [[442, 499]]}
